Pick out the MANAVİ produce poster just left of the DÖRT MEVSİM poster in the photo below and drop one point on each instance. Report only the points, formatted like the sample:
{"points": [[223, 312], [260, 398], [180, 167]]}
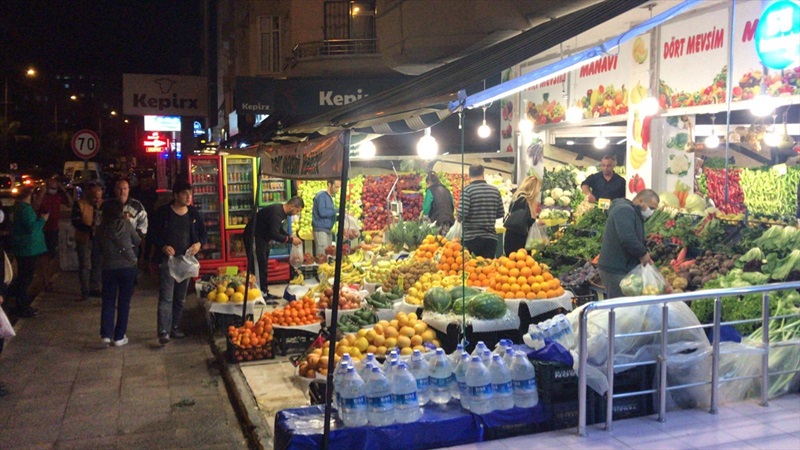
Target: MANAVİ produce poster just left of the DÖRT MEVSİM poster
{"points": [[600, 88]]}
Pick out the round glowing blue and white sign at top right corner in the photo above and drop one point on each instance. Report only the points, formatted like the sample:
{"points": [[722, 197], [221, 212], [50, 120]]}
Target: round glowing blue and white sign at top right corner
{"points": [[777, 36]]}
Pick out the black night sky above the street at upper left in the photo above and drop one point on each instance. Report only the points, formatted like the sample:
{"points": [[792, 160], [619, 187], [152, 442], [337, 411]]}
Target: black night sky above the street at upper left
{"points": [[102, 37]]}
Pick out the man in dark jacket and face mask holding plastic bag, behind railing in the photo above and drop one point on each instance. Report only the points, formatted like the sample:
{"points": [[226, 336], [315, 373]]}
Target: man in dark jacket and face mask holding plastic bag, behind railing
{"points": [[623, 239]]}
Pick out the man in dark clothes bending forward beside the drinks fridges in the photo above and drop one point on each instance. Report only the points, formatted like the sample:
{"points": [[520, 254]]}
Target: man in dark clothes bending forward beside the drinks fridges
{"points": [[269, 229]]}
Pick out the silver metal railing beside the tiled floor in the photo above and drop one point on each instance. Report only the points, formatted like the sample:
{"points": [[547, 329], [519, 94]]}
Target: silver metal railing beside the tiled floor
{"points": [[664, 301]]}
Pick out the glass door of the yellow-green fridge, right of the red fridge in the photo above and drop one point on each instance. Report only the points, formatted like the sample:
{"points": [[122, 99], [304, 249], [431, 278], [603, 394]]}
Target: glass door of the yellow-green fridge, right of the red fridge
{"points": [[239, 191]]}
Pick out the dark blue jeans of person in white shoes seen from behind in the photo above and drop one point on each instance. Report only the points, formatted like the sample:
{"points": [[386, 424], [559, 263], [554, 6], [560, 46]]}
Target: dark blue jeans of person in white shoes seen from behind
{"points": [[117, 292]]}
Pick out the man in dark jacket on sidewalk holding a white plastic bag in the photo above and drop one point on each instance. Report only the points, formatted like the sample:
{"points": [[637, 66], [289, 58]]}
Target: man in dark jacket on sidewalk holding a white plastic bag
{"points": [[177, 229]]}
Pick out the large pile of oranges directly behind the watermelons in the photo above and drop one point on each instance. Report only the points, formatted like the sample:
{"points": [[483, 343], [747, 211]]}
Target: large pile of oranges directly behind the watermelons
{"points": [[520, 276]]}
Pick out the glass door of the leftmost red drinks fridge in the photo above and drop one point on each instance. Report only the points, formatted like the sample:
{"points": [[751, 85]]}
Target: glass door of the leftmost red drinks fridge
{"points": [[206, 197]]}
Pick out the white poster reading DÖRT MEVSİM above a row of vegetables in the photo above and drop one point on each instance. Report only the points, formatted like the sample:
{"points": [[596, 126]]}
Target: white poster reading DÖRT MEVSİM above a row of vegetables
{"points": [[693, 56]]}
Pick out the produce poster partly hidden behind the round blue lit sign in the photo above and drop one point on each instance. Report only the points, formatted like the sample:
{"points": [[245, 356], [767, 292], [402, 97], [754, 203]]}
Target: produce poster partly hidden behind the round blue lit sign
{"points": [[747, 68]]}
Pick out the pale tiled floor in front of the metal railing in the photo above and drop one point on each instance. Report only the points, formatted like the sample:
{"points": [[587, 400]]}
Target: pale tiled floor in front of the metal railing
{"points": [[744, 425]]}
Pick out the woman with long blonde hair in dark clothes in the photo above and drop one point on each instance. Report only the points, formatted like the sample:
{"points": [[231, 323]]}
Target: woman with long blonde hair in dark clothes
{"points": [[522, 213]]}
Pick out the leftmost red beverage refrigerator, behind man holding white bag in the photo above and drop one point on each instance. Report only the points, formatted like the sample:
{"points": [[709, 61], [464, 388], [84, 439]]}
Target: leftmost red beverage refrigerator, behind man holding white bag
{"points": [[208, 199]]}
